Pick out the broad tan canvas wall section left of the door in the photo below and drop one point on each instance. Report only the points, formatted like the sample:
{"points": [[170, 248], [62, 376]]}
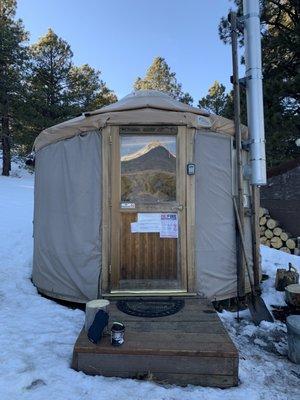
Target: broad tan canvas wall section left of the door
{"points": [[67, 217]]}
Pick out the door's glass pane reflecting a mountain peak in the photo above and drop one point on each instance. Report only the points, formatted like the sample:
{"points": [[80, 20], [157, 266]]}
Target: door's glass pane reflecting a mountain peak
{"points": [[148, 173]]}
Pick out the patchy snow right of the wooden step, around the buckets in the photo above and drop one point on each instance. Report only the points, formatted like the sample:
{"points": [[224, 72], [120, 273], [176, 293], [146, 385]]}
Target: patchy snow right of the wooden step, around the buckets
{"points": [[264, 367]]}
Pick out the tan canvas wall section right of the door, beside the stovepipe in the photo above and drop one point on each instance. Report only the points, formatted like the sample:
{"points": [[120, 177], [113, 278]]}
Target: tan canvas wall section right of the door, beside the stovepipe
{"points": [[215, 244]]}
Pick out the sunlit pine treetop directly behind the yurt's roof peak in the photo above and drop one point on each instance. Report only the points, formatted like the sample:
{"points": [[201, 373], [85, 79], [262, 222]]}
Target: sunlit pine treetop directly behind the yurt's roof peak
{"points": [[159, 77]]}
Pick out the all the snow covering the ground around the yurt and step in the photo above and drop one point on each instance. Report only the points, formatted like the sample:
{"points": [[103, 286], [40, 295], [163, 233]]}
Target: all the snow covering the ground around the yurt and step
{"points": [[37, 335]]}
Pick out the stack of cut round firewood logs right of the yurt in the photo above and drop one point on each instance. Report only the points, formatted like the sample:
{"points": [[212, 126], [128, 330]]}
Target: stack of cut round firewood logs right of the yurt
{"points": [[272, 235]]}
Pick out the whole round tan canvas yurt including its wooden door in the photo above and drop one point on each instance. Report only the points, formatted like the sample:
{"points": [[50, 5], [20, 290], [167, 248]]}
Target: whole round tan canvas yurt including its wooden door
{"points": [[136, 199]]}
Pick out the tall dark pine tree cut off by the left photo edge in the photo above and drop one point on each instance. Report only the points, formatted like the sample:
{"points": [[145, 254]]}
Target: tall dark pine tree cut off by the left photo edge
{"points": [[13, 55]]}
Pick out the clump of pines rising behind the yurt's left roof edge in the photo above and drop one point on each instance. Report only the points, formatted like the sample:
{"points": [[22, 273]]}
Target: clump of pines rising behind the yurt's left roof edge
{"points": [[57, 90]]}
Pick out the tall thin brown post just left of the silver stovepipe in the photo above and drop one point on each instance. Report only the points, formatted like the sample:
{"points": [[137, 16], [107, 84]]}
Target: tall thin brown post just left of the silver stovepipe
{"points": [[238, 146]]}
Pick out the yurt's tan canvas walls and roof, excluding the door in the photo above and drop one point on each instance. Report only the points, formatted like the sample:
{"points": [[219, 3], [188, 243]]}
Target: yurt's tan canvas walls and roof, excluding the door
{"points": [[73, 169]]}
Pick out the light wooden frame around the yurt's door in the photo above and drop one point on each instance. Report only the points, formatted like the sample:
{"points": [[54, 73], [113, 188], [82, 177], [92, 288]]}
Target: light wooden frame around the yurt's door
{"points": [[186, 197]]}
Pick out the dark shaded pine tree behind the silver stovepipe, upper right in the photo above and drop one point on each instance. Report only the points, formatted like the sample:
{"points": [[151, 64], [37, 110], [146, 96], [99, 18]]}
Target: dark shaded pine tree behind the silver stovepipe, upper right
{"points": [[280, 28]]}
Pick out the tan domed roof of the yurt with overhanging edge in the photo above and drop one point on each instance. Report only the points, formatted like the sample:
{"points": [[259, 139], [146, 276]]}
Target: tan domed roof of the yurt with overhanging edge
{"points": [[143, 107]]}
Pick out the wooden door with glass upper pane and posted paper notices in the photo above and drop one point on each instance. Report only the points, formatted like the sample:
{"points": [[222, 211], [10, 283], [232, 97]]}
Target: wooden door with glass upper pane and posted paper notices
{"points": [[148, 241]]}
